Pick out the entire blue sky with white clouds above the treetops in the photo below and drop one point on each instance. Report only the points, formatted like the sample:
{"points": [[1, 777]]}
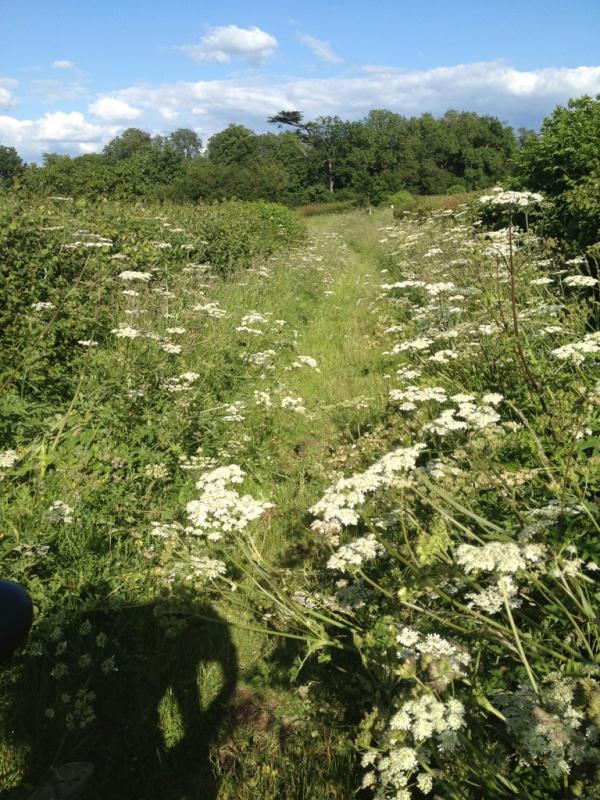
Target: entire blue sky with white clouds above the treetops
{"points": [[74, 74]]}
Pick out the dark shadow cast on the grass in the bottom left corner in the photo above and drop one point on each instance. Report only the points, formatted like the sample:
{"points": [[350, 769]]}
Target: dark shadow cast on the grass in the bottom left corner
{"points": [[155, 717]]}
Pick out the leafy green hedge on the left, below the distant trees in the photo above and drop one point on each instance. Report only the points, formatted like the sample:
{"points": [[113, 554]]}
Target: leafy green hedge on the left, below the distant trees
{"points": [[56, 272]]}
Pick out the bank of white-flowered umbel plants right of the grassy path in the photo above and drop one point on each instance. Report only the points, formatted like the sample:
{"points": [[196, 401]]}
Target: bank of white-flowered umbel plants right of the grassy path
{"points": [[456, 572]]}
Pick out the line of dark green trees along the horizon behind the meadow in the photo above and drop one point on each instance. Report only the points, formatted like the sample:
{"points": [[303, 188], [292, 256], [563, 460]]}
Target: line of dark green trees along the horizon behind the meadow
{"points": [[298, 162]]}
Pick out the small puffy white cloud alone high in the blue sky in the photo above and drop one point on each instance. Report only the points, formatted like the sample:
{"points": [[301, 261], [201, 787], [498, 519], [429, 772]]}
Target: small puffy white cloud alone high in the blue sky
{"points": [[228, 41]]}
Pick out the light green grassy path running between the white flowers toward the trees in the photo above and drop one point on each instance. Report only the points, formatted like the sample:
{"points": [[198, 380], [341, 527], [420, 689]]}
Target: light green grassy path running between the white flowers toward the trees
{"points": [[327, 292]]}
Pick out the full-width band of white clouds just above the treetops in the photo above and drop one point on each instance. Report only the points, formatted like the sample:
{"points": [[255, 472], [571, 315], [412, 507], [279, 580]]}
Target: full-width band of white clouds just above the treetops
{"points": [[521, 98]]}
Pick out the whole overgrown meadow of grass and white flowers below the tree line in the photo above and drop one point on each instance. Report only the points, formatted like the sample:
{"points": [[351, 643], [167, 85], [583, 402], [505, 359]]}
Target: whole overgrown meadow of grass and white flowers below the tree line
{"points": [[307, 506]]}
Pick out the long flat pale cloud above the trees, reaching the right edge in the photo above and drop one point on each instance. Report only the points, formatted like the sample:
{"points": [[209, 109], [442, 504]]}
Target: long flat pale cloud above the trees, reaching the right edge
{"points": [[518, 97]]}
